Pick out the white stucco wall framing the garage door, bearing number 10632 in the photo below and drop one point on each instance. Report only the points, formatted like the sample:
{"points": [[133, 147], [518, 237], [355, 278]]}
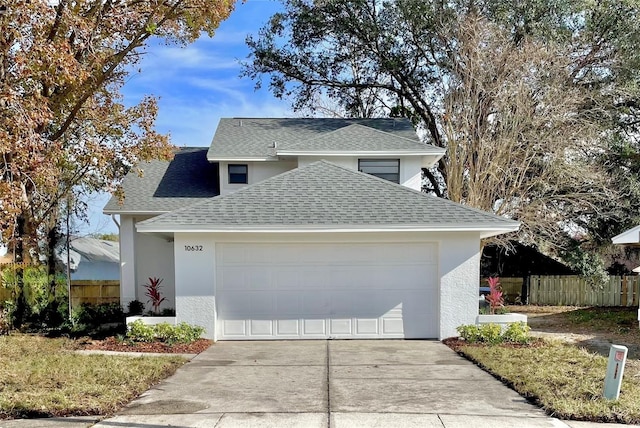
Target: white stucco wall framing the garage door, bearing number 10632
{"points": [[458, 270]]}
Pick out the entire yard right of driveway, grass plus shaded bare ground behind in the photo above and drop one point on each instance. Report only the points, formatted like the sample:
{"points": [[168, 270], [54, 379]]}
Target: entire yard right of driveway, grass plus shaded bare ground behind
{"points": [[566, 379]]}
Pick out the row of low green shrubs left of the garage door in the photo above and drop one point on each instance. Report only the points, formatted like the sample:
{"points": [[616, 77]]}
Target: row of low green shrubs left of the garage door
{"points": [[170, 334]]}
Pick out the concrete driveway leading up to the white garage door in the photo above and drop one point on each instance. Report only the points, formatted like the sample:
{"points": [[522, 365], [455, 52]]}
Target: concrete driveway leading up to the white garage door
{"points": [[336, 383]]}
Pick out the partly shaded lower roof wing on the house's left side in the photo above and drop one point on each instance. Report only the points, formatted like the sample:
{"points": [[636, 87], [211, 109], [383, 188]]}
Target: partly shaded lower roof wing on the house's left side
{"points": [[168, 185]]}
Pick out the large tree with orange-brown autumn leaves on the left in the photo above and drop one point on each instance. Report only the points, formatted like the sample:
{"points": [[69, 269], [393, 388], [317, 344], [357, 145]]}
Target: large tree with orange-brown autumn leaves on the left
{"points": [[64, 129]]}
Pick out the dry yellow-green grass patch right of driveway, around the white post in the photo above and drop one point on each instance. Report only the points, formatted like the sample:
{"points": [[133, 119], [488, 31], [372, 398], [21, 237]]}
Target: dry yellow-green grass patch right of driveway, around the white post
{"points": [[566, 381]]}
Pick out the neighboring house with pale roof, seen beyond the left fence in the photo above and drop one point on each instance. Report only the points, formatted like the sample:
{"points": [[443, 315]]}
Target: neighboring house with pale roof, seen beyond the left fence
{"points": [[90, 258]]}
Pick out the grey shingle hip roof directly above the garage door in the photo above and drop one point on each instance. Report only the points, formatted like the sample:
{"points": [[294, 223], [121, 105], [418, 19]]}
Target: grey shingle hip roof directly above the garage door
{"points": [[324, 196]]}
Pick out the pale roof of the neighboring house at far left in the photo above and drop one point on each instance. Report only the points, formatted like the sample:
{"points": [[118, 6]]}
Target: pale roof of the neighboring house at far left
{"points": [[91, 249]]}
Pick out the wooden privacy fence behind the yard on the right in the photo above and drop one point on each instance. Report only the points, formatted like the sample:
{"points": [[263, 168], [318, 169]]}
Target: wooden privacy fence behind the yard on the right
{"points": [[575, 291]]}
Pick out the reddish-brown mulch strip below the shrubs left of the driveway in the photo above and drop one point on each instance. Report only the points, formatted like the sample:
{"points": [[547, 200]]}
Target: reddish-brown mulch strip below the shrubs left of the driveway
{"points": [[113, 344]]}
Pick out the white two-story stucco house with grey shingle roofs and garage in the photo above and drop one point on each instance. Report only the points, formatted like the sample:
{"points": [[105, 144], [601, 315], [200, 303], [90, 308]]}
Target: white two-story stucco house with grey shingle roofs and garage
{"points": [[303, 229]]}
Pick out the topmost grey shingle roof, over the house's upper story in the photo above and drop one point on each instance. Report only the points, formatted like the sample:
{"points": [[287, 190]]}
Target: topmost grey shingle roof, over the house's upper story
{"points": [[254, 138]]}
